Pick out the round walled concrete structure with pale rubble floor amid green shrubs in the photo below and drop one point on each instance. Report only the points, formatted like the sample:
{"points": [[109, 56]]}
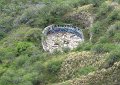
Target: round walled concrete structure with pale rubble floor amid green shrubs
{"points": [[59, 37]]}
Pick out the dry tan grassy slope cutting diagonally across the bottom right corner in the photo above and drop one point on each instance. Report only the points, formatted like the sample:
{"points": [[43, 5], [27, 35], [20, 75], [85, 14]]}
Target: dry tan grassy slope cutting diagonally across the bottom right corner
{"points": [[108, 76]]}
